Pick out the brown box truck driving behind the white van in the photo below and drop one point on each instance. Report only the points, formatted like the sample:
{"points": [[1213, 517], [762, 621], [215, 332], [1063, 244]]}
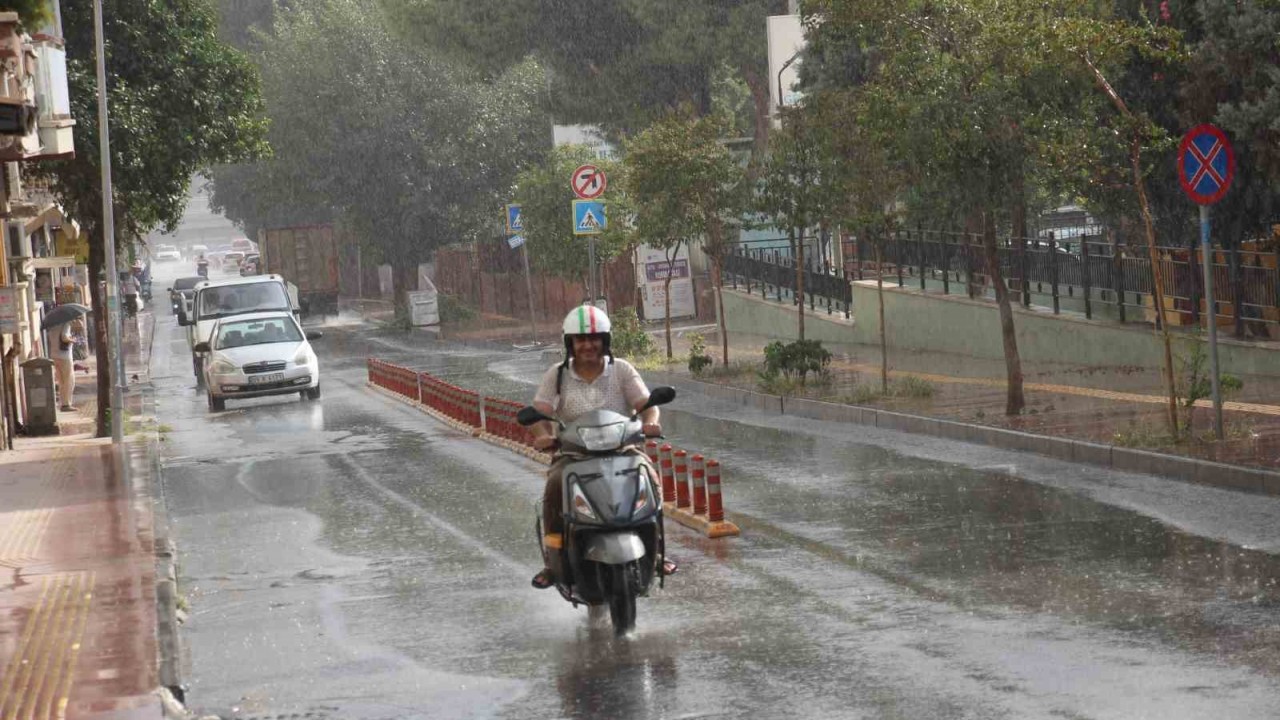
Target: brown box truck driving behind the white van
{"points": [[307, 257]]}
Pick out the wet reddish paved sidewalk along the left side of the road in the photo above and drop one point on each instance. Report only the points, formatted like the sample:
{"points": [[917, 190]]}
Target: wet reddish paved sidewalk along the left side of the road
{"points": [[79, 568]]}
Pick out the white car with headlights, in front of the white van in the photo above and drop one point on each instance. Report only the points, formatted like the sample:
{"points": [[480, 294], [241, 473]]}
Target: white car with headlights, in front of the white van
{"points": [[258, 356]]}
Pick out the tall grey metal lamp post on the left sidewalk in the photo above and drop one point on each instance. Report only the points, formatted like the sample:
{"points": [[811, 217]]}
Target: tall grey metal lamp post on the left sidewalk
{"points": [[113, 281]]}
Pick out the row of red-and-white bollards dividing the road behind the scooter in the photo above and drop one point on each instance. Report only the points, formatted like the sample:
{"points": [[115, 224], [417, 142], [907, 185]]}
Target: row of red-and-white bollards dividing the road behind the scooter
{"points": [[493, 420]]}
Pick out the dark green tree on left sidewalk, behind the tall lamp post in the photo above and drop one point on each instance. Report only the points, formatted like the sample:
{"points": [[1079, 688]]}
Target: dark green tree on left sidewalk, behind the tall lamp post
{"points": [[167, 122]]}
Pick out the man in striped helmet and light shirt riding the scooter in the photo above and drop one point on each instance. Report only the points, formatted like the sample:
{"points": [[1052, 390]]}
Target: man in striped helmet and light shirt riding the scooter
{"points": [[589, 379]]}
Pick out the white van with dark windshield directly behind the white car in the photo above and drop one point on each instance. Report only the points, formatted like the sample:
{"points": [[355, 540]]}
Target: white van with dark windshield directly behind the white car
{"points": [[225, 298]]}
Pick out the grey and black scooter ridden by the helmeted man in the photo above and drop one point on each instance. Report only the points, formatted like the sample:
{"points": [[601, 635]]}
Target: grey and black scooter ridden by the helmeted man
{"points": [[614, 543]]}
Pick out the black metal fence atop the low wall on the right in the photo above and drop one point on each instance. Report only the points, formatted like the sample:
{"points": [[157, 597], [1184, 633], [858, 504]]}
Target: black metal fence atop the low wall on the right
{"points": [[1087, 274]]}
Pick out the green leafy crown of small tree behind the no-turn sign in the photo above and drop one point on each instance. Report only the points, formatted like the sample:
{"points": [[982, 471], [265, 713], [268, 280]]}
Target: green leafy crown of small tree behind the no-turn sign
{"points": [[547, 204]]}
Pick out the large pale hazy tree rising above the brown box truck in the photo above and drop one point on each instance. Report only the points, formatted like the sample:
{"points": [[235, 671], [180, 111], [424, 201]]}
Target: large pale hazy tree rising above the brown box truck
{"points": [[409, 151]]}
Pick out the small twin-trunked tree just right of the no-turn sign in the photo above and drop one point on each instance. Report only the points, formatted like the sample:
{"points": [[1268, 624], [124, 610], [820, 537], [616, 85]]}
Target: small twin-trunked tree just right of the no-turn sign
{"points": [[685, 186]]}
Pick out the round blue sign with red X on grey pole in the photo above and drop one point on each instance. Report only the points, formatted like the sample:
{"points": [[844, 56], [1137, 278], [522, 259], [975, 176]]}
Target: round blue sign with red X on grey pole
{"points": [[1206, 166]]}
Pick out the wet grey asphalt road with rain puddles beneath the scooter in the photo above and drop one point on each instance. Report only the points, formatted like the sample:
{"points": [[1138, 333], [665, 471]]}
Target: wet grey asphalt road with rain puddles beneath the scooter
{"points": [[351, 558]]}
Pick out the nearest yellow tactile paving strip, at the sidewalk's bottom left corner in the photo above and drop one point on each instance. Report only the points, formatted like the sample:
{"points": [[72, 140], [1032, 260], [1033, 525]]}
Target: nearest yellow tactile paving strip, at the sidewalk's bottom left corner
{"points": [[38, 681]]}
